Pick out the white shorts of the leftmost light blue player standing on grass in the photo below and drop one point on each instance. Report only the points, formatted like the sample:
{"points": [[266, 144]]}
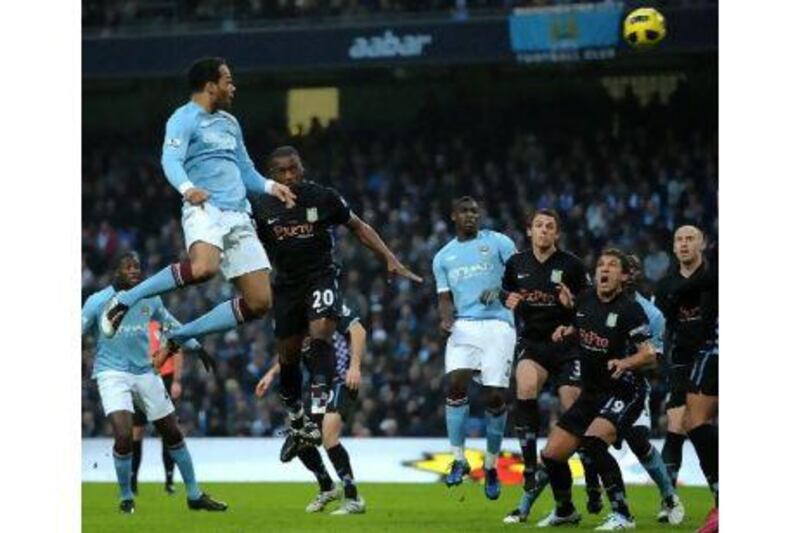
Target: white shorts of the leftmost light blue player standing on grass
{"points": [[119, 390]]}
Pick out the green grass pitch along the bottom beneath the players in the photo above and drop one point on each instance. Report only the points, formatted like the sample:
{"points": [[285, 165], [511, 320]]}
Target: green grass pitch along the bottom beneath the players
{"points": [[390, 507]]}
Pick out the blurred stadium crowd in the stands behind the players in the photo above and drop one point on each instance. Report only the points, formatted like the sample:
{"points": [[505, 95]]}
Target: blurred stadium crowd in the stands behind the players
{"points": [[629, 181]]}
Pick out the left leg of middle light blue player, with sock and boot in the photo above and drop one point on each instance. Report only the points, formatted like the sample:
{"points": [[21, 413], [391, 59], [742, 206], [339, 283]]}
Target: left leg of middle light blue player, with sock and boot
{"points": [[456, 414]]}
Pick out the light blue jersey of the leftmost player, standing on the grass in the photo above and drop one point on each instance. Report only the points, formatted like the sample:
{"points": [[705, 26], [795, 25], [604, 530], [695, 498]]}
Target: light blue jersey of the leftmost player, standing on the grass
{"points": [[129, 349]]}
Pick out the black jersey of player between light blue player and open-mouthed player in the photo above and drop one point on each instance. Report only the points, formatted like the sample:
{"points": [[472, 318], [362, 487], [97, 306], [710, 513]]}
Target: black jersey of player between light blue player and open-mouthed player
{"points": [[541, 312]]}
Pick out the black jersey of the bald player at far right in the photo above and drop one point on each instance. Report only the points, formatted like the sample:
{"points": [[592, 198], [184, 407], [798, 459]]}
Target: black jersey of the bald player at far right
{"points": [[690, 308]]}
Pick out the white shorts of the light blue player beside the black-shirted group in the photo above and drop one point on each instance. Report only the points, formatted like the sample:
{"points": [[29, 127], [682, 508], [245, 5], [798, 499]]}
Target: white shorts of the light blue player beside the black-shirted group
{"points": [[485, 346]]}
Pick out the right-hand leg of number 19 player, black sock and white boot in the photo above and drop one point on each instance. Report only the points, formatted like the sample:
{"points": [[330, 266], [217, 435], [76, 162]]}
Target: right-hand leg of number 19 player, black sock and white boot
{"points": [[599, 436]]}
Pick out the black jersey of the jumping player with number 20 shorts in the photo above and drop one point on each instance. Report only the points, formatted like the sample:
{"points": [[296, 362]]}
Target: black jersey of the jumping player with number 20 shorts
{"points": [[299, 240]]}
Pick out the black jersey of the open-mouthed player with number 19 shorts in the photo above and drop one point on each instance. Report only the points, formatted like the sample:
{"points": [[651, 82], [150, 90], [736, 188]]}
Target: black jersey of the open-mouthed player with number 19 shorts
{"points": [[606, 331]]}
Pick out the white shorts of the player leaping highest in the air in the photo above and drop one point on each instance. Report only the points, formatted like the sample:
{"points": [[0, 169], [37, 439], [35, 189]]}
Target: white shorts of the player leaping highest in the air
{"points": [[230, 231]]}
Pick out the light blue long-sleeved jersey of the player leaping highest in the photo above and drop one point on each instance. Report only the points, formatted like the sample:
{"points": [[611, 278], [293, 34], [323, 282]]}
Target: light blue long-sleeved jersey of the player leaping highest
{"points": [[208, 151]]}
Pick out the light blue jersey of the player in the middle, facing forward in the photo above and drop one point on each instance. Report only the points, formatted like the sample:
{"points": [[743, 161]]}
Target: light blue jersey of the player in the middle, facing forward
{"points": [[467, 268]]}
